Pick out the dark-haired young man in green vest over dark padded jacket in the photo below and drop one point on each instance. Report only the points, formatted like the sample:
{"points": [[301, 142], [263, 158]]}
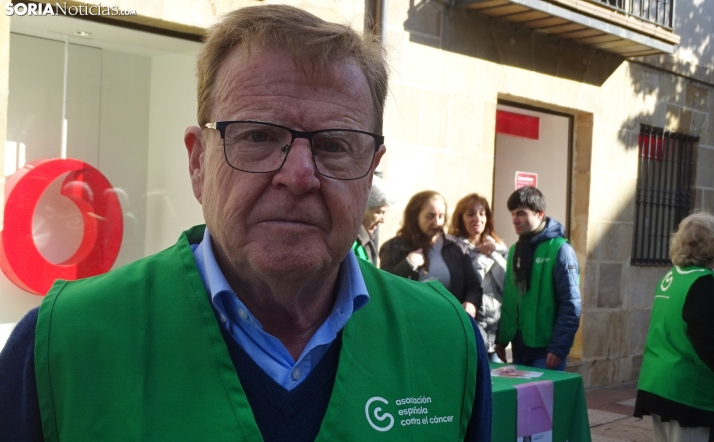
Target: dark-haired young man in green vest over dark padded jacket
{"points": [[541, 299]]}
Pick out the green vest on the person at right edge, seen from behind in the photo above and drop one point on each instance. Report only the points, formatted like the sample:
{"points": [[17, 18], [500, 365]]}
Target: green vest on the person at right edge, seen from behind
{"points": [[670, 365]]}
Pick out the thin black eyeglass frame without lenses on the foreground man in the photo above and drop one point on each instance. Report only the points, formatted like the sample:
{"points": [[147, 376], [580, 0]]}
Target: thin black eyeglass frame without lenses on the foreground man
{"points": [[221, 126]]}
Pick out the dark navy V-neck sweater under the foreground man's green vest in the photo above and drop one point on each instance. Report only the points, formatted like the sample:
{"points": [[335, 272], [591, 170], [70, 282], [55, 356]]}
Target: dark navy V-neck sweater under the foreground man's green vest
{"points": [[281, 414]]}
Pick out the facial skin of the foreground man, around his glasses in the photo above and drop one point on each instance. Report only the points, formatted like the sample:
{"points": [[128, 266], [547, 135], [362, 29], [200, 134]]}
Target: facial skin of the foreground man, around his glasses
{"points": [[291, 223]]}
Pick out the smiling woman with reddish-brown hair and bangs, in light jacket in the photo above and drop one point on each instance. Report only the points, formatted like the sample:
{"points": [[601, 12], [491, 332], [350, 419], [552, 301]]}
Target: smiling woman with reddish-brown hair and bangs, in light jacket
{"points": [[472, 223]]}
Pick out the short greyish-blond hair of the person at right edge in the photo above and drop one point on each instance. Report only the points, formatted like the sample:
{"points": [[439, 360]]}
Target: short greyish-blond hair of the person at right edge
{"points": [[693, 243]]}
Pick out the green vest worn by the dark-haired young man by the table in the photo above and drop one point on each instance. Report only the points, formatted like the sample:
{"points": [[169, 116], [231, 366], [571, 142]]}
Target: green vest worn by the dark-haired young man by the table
{"points": [[533, 313]]}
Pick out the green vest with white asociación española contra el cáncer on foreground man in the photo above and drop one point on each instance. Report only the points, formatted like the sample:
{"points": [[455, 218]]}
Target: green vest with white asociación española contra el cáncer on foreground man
{"points": [[137, 354]]}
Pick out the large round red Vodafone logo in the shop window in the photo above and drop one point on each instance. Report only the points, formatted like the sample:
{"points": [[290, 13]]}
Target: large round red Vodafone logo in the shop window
{"points": [[101, 212]]}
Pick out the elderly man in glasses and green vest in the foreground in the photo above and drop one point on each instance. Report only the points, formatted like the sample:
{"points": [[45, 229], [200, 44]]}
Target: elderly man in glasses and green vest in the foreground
{"points": [[262, 325]]}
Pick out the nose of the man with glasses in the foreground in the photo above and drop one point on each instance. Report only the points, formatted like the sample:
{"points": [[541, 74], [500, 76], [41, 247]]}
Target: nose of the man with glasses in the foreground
{"points": [[298, 172]]}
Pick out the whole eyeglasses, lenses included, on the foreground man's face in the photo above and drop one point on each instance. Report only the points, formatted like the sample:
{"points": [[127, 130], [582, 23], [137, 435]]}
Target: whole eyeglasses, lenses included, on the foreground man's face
{"points": [[257, 147]]}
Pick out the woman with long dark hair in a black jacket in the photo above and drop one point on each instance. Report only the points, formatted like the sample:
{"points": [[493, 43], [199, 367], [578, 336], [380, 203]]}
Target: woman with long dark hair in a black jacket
{"points": [[422, 251]]}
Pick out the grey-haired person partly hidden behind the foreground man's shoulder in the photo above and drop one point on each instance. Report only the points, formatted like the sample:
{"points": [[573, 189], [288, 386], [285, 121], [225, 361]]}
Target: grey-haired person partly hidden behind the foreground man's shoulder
{"points": [[380, 199]]}
